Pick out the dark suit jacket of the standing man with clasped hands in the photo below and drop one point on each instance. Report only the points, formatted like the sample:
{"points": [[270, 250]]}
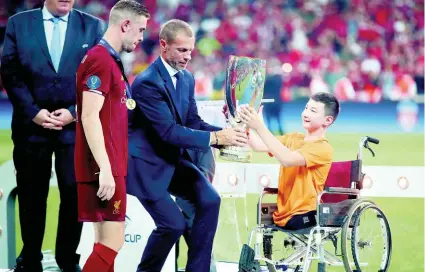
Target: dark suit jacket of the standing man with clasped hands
{"points": [[30, 79]]}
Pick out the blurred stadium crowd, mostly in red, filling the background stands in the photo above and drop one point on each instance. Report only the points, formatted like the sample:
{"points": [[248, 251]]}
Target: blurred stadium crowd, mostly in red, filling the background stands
{"points": [[362, 50]]}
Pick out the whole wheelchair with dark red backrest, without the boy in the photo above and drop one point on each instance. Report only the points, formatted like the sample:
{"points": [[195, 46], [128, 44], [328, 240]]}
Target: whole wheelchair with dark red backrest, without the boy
{"points": [[344, 221]]}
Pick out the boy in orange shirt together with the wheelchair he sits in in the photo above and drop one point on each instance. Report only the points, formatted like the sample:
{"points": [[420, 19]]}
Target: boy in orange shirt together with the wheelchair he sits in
{"points": [[310, 183]]}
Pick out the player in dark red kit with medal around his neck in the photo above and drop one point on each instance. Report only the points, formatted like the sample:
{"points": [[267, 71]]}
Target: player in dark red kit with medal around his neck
{"points": [[101, 145]]}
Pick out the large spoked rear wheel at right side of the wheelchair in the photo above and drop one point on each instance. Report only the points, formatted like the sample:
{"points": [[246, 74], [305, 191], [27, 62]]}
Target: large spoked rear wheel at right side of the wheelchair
{"points": [[366, 238]]}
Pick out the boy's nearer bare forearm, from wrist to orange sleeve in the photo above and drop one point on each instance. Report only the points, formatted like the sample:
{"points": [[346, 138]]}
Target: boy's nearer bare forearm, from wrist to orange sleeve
{"points": [[285, 156]]}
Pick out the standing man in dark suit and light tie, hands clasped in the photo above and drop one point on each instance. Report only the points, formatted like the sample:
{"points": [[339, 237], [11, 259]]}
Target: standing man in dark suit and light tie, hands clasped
{"points": [[42, 50]]}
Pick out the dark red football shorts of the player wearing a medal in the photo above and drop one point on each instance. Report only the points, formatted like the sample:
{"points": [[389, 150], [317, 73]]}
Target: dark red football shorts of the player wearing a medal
{"points": [[92, 209]]}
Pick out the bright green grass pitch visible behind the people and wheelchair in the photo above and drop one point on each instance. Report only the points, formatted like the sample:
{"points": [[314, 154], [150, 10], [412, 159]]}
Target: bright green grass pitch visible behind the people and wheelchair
{"points": [[405, 215]]}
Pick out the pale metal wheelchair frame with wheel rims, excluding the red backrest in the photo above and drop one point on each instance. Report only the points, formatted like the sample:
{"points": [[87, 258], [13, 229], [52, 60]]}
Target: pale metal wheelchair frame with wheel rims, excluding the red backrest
{"points": [[311, 240]]}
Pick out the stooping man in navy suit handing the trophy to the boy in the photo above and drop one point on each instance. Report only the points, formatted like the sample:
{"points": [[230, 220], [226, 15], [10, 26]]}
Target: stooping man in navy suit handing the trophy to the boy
{"points": [[162, 128]]}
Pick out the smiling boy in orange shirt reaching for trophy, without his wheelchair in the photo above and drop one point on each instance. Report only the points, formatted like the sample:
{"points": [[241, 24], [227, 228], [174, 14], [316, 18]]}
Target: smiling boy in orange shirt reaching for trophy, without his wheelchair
{"points": [[305, 159]]}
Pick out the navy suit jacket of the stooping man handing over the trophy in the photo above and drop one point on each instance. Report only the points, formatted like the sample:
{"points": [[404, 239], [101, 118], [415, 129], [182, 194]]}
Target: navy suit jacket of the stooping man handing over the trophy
{"points": [[161, 130]]}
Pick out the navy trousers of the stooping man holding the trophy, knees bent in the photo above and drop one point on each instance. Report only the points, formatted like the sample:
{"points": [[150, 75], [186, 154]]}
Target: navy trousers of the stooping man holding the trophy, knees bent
{"points": [[190, 184]]}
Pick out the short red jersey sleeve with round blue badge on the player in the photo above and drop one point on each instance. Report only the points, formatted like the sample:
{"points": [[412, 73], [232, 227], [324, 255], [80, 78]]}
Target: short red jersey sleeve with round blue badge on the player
{"points": [[97, 76]]}
